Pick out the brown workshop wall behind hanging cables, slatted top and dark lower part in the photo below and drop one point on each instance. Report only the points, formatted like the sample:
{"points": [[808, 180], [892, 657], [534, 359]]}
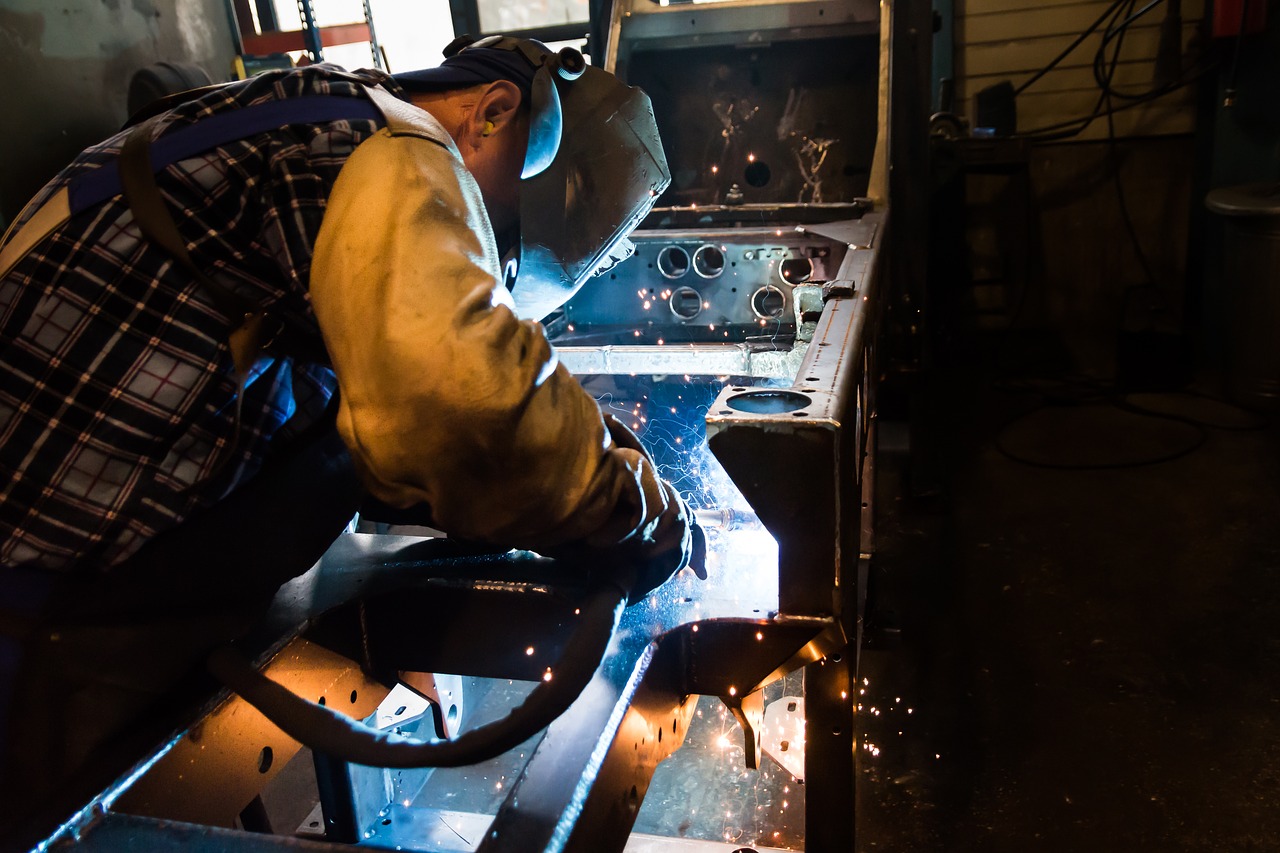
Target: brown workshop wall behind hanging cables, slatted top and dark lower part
{"points": [[1052, 247]]}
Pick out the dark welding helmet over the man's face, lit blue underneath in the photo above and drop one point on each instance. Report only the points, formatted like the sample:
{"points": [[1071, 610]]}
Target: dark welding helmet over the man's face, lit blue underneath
{"points": [[593, 168]]}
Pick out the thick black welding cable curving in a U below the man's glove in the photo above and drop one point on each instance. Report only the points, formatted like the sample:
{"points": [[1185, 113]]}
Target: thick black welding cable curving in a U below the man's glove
{"points": [[339, 737]]}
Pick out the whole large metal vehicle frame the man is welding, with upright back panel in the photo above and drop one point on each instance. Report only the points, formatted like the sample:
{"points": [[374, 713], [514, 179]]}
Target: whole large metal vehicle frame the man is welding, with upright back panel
{"points": [[748, 318]]}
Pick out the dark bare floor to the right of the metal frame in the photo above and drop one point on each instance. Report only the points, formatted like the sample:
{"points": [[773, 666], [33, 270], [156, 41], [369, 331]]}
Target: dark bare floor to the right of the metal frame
{"points": [[1091, 656]]}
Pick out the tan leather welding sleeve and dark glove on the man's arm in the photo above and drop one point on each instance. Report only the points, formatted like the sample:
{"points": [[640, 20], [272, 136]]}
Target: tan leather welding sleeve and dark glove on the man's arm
{"points": [[446, 398]]}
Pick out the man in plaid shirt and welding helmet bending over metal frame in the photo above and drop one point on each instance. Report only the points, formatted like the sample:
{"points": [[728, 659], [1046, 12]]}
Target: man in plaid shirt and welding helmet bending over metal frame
{"points": [[275, 304]]}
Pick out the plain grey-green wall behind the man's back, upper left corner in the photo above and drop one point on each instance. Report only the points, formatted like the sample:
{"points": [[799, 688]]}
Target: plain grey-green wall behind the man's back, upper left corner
{"points": [[67, 67]]}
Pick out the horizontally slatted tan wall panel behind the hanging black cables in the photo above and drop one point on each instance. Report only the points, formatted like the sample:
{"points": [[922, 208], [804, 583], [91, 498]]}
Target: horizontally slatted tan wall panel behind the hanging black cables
{"points": [[1011, 40]]}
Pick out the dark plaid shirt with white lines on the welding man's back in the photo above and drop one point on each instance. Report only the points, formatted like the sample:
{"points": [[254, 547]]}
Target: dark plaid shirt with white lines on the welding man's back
{"points": [[118, 403]]}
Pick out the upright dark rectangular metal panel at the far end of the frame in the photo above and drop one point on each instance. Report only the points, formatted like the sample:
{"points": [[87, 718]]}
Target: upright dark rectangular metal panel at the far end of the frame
{"points": [[761, 103]]}
